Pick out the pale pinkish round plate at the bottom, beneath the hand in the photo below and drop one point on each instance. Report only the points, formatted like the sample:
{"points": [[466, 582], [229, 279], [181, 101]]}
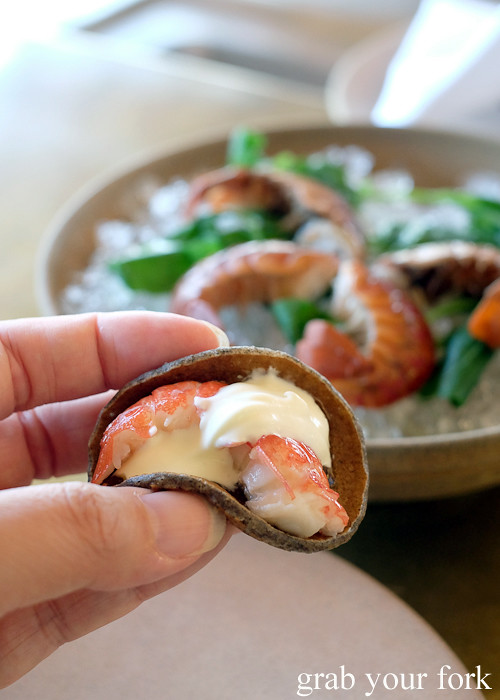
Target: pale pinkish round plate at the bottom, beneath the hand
{"points": [[248, 626]]}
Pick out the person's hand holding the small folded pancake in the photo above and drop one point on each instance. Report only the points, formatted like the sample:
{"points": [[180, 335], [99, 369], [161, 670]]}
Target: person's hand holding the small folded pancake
{"points": [[74, 555]]}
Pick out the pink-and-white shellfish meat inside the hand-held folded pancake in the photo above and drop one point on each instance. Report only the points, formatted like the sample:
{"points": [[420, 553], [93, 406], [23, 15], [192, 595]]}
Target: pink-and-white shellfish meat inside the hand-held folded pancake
{"points": [[283, 480]]}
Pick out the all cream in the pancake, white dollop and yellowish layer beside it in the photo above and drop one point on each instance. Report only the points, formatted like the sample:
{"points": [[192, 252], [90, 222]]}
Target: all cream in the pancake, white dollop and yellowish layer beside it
{"points": [[238, 413]]}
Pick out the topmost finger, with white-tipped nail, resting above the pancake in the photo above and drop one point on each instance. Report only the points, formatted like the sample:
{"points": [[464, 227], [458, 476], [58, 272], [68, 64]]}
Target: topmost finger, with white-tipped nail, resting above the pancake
{"points": [[43, 360]]}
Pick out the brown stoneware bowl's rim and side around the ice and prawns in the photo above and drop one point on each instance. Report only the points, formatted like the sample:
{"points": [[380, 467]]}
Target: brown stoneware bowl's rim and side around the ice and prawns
{"points": [[400, 469]]}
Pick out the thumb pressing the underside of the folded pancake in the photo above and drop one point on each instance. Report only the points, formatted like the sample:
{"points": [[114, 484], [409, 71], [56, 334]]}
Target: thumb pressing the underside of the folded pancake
{"points": [[58, 538]]}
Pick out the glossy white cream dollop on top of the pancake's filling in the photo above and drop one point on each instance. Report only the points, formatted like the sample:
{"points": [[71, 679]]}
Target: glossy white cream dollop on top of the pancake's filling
{"points": [[263, 404]]}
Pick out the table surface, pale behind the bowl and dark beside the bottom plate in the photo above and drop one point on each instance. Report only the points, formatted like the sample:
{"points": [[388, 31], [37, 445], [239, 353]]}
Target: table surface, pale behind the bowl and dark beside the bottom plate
{"points": [[70, 112]]}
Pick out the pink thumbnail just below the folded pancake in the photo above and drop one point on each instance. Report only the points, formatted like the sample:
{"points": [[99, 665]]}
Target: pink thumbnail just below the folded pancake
{"points": [[185, 524]]}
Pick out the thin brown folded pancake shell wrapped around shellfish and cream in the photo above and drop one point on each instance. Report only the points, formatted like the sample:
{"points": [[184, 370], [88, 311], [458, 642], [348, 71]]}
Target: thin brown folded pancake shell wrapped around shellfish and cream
{"points": [[235, 364]]}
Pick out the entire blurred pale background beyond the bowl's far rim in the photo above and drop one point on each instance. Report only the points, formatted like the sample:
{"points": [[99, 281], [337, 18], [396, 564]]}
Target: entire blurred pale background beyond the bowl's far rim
{"points": [[86, 85]]}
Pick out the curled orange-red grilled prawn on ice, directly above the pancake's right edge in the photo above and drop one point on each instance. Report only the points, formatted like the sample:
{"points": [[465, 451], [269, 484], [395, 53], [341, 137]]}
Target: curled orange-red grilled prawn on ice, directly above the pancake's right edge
{"points": [[394, 353]]}
